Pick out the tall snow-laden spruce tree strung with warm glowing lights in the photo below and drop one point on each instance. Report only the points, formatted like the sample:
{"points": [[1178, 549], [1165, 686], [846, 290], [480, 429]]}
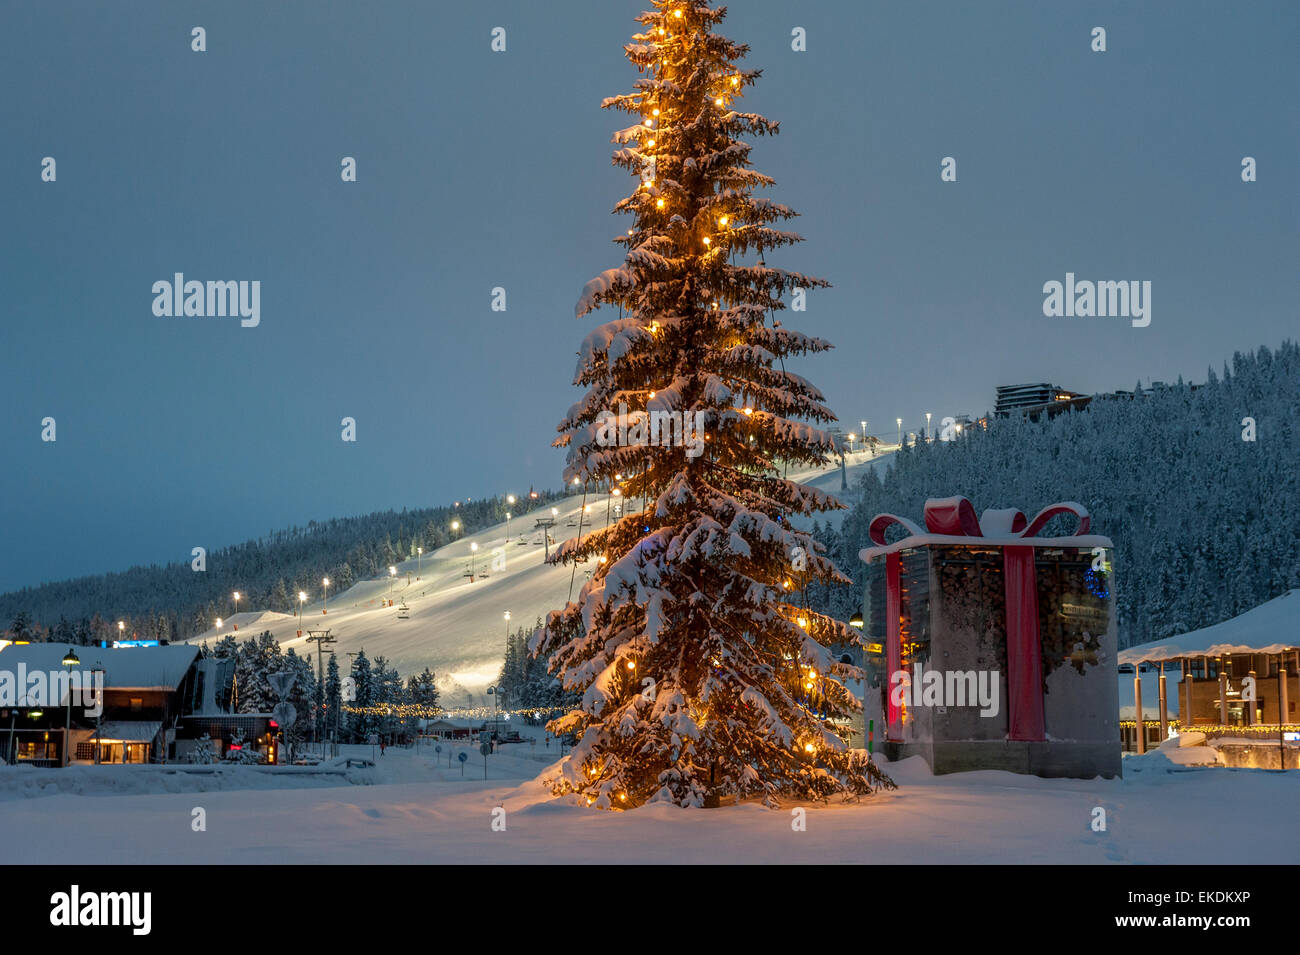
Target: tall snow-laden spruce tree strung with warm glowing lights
{"points": [[703, 671]]}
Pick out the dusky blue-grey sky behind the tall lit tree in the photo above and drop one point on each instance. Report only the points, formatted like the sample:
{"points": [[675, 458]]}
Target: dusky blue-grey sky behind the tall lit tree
{"points": [[480, 170]]}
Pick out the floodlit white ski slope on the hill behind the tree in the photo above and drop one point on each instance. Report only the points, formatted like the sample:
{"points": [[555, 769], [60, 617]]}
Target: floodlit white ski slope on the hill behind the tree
{"points": [[457, 627]]}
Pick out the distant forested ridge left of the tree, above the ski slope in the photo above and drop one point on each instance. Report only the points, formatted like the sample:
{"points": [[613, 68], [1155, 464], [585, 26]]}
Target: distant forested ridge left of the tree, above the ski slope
{"points": [[175, 602]]}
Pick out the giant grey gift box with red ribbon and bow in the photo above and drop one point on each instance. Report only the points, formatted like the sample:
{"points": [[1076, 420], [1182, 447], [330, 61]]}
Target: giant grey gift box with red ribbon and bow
{"points": [[998, 646]]}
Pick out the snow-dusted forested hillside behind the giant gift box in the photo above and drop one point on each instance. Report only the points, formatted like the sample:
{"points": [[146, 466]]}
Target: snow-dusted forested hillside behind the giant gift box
{"points": [[1206, 520]]}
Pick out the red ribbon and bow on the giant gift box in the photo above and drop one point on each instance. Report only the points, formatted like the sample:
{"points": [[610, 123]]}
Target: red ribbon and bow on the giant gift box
{"points": [[956, 518]]}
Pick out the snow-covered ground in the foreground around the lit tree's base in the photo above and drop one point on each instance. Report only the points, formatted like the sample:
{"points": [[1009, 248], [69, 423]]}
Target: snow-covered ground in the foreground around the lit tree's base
{"points": [[418, 810]]}
